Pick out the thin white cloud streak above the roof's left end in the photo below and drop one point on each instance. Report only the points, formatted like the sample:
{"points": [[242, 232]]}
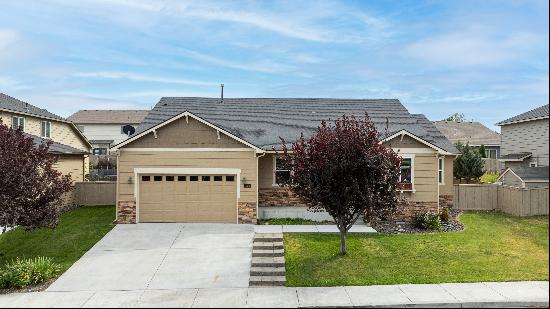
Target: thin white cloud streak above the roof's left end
{"points": [[141, 78]]}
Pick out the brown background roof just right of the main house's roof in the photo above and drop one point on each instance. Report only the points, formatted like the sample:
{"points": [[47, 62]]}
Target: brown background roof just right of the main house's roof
{"points": [[473, 133]]}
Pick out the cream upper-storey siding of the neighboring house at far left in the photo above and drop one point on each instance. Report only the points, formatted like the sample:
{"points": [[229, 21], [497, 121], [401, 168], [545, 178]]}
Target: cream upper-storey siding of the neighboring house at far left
{"points": [[62, 132]]}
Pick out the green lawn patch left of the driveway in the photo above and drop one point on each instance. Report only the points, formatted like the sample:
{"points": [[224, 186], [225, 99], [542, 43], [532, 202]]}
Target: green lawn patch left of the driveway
{"points": [[77, 232]]}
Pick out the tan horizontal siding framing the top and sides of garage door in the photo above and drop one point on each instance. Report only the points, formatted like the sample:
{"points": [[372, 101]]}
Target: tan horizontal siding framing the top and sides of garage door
{"points": [[246, 161]]}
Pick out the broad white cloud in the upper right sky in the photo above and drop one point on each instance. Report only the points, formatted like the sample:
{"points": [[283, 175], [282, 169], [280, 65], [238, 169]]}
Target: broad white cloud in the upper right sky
{"points": [[471, 48]]}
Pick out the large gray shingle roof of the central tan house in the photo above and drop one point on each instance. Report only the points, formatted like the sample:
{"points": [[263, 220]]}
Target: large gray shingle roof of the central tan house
{"points": [[261, 121]]}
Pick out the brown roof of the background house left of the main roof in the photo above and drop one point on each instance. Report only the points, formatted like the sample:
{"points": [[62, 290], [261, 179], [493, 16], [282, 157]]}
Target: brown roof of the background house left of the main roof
{"points": [[108, 116]]}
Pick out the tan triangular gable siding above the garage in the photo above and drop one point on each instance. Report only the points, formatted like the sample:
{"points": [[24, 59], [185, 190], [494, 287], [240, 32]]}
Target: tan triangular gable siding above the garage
{"points": [[180, 134]]}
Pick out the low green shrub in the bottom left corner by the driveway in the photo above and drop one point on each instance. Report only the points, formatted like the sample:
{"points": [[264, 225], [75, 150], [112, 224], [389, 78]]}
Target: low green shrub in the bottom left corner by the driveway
{"points": [[24, 272]]}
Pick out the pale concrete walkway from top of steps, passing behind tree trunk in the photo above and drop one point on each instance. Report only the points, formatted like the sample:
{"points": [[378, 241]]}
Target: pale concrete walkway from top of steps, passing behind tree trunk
{"points": [[272, 229]]}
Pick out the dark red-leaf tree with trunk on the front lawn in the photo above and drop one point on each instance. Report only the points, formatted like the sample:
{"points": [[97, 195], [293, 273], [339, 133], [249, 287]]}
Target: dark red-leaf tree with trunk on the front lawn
{"points": [[344, 169]]}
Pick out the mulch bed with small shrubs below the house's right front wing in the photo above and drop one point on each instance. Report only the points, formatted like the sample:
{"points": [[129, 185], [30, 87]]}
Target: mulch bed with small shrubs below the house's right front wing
{"points": [[392, 227]]}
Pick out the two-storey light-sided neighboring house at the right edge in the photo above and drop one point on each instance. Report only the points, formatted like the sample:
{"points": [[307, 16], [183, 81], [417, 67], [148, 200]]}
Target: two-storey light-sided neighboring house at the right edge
{"points": [[524, 146]]}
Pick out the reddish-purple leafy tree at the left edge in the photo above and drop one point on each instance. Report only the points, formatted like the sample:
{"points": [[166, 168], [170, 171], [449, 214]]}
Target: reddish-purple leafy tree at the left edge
{"points": [[31, 189]]}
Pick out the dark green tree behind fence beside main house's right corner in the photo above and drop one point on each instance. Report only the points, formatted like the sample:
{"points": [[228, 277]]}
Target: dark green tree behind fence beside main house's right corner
{"points": [[469, 165]]}
